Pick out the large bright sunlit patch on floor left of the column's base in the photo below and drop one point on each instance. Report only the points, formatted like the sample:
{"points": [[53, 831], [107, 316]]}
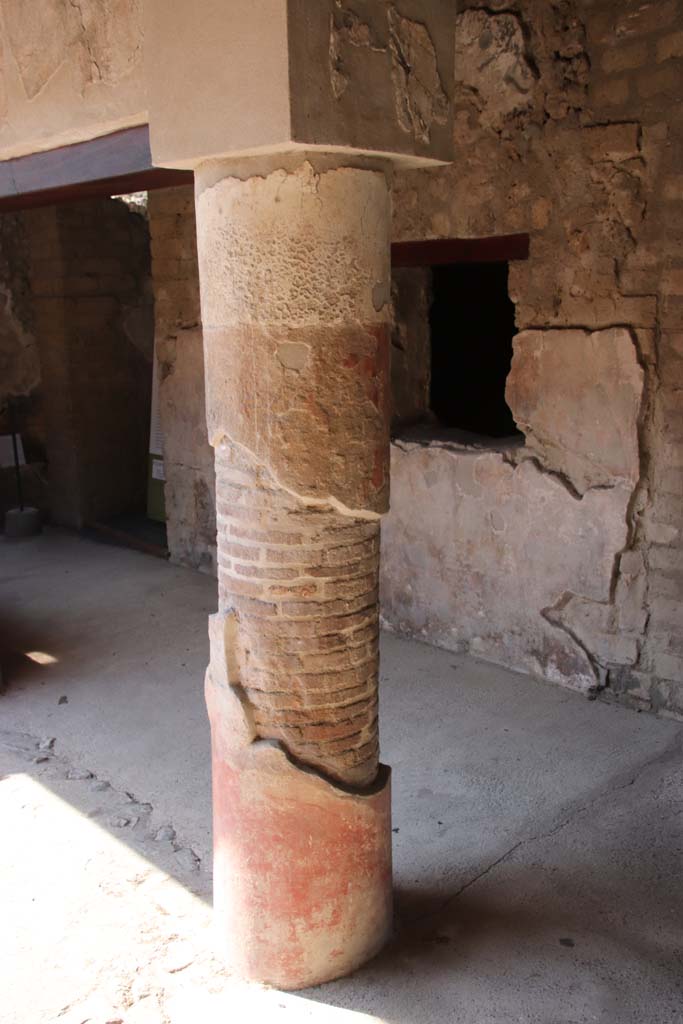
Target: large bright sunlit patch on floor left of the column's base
{"points": [[99, 933]]}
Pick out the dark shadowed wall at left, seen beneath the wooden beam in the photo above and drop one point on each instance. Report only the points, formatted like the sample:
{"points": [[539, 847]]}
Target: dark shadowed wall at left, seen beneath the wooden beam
{"points": [[92, 300]]}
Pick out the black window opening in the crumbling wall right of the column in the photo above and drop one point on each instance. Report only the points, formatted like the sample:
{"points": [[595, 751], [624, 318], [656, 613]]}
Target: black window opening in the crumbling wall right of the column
{"points": [[473, 323]]}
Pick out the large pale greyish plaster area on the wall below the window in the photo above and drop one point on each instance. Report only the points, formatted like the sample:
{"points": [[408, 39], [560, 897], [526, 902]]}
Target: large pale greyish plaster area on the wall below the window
{"points": [[496, 546]]}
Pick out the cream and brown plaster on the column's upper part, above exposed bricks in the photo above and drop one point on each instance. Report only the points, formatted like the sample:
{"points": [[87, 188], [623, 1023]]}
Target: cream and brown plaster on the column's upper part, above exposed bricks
{"points": [[319, 295]]}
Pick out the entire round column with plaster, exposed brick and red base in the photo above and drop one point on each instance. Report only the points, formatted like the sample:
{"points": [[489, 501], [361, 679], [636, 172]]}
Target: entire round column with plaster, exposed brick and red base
{"points": [[294, 270]]}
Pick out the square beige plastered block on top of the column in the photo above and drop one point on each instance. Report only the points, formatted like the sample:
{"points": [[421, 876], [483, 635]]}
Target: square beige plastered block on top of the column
{"points": [[361, 79]]}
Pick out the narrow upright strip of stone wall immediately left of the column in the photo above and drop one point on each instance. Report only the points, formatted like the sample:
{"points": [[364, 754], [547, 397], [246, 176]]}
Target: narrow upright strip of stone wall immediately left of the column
{"points": [[190, 490]]}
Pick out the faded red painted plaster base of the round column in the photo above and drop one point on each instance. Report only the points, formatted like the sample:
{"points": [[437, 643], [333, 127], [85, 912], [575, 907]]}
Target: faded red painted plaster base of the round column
{"points": [[303, 868]]}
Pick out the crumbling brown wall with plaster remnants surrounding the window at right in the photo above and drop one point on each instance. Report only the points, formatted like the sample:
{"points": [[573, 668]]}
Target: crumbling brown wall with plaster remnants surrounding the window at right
{"points": [[564, 558]]}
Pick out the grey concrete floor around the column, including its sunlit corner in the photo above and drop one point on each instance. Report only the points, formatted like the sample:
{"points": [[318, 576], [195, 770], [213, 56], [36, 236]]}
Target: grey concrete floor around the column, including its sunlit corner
{"points": [[539, 836]]}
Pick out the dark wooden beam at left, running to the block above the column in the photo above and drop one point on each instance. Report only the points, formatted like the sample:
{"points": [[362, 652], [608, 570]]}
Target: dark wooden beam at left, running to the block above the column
{"points": [[110, 165]]}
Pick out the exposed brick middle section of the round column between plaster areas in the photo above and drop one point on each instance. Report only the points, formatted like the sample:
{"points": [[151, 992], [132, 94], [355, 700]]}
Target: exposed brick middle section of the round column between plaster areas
{"points": [[303, 583]]}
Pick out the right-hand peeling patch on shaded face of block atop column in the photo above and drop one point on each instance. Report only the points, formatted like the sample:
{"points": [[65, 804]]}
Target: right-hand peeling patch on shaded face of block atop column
{"points": [[419, 94]]}
